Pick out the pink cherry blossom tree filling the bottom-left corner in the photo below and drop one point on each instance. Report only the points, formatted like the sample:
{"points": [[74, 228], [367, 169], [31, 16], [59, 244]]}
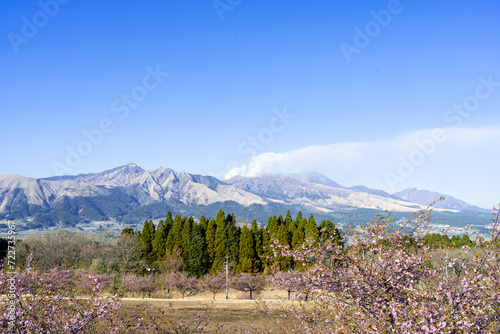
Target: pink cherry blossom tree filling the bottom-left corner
{"points": [[49, 311]]}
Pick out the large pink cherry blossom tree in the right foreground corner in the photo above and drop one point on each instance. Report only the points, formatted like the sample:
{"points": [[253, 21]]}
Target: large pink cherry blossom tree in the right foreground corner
{"points": [[379, 284]]}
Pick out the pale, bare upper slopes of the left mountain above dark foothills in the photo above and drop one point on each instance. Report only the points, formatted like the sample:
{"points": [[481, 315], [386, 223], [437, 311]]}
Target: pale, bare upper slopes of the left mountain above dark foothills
{"points": [[146, 187]]}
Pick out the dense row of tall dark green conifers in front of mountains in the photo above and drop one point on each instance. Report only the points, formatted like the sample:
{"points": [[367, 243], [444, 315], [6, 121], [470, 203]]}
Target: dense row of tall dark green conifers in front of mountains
{"points": [[205, 245]]}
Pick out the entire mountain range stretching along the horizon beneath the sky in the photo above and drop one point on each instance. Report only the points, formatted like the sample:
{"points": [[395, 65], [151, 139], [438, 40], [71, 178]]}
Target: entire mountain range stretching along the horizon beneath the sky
{"points": [[130, 194]]}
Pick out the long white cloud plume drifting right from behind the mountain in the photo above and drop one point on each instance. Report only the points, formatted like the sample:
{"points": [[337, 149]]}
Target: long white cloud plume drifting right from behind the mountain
{"points": [[433, 155]]}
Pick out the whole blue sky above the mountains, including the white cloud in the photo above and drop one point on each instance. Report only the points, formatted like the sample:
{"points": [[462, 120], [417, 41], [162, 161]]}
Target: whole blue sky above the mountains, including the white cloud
{"points": [[255, 87]]}
